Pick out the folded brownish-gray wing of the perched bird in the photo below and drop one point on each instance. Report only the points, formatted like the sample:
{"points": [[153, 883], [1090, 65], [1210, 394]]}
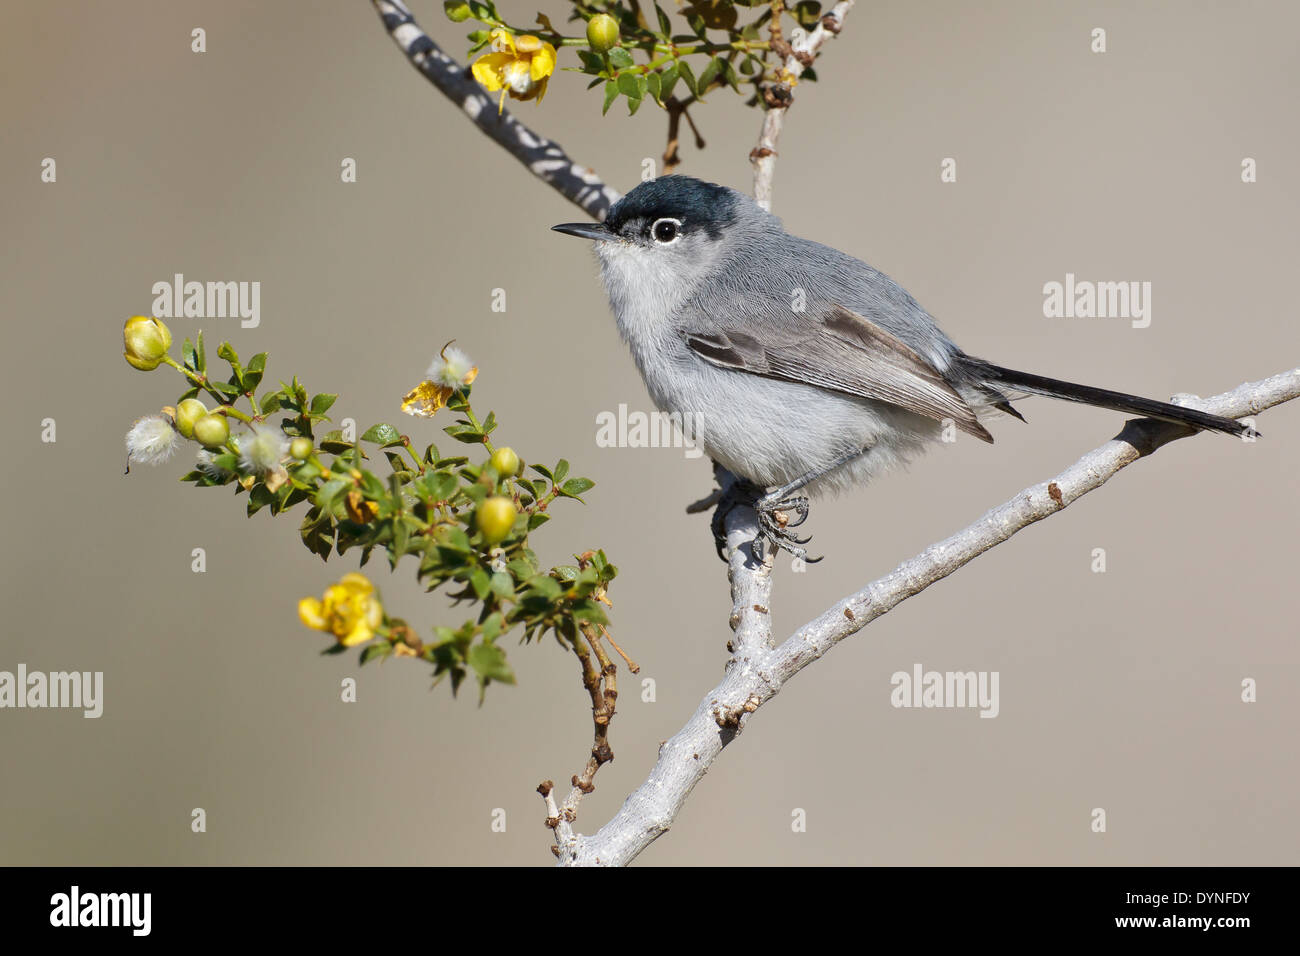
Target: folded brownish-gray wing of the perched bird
{"points": [[843, 352]]}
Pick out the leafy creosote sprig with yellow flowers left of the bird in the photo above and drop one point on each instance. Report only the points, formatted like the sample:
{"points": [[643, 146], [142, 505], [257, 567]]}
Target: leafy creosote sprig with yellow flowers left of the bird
{"points": [[465, 524]]}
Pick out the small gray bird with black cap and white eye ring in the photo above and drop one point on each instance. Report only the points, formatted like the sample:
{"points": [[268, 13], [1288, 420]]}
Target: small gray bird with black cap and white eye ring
{"points": [[805, 371]]}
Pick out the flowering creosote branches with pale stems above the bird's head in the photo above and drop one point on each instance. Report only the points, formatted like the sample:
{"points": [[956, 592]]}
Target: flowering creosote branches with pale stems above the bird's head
{"points": [[632, 51]]}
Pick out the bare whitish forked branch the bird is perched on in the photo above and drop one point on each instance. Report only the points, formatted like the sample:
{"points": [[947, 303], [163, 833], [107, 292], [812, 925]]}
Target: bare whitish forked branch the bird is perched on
{"points": [[757, 672]]}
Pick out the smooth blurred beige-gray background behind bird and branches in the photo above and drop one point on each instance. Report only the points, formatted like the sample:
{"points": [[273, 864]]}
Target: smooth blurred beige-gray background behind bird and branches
{"points": [[1119, 690]]}
